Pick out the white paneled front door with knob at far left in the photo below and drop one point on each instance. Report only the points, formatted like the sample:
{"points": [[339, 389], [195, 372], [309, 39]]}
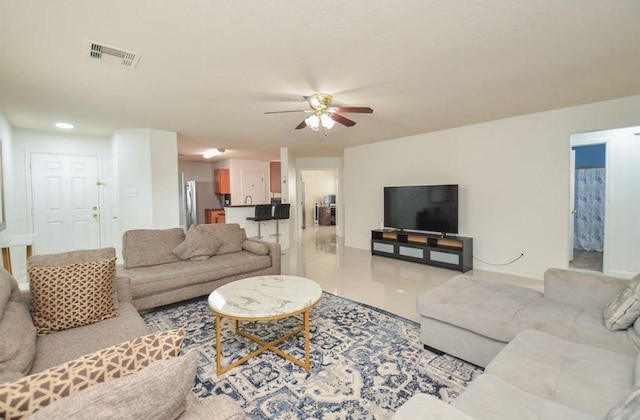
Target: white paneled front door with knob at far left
{"points": [[65, 201]]}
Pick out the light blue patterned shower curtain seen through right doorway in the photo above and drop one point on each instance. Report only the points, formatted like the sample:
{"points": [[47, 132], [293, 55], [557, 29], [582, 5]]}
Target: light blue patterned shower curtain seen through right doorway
{"points": [[589, 220]]}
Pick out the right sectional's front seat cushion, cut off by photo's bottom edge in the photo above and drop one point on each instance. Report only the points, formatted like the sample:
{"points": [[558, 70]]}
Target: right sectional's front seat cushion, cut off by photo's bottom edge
{"points": [[489, 397]]}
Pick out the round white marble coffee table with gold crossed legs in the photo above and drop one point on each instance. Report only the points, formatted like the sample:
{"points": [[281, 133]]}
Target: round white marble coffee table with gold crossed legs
{"points": [[265, 298]]}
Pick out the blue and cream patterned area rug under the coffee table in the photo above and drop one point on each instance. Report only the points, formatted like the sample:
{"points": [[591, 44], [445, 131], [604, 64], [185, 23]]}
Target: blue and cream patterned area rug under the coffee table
{"points": [[365, 362]]}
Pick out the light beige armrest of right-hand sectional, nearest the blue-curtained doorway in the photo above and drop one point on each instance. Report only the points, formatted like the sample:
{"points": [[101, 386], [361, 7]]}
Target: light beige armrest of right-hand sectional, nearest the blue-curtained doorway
{"points": [[587, 290]]}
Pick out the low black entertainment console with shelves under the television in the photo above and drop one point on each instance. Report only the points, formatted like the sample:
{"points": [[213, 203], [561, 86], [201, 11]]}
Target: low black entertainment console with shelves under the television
{"points": [[452, 252]]}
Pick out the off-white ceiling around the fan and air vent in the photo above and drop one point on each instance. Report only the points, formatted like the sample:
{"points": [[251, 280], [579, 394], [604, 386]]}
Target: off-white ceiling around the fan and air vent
{"points": [[210, 69]]}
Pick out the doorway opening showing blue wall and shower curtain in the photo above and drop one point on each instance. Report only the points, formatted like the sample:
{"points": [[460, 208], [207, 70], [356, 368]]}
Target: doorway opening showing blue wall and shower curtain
{"points": [[589, 201]]}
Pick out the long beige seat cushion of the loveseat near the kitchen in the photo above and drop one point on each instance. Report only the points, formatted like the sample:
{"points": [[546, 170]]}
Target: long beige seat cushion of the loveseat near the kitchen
{"points": [[147, 281]]}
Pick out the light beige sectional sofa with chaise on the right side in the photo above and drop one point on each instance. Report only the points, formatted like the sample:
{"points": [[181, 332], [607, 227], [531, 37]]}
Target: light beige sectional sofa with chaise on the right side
{"points": [[547, 356]]}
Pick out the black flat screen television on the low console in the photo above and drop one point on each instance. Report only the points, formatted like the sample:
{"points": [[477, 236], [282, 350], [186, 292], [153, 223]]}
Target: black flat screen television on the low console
{"points": [[427, 208]]}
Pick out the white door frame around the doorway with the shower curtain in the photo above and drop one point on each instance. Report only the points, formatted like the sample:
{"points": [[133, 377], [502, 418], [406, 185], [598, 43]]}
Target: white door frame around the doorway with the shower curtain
{"points": [[591, 139]]}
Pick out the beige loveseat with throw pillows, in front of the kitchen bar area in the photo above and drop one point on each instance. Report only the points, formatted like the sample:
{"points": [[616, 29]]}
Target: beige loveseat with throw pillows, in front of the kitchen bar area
{"points": [[159, 277]]}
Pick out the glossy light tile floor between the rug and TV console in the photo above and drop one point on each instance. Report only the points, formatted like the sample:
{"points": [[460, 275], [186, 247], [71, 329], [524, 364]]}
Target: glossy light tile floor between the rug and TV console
{"points": [[382, 282]]}
